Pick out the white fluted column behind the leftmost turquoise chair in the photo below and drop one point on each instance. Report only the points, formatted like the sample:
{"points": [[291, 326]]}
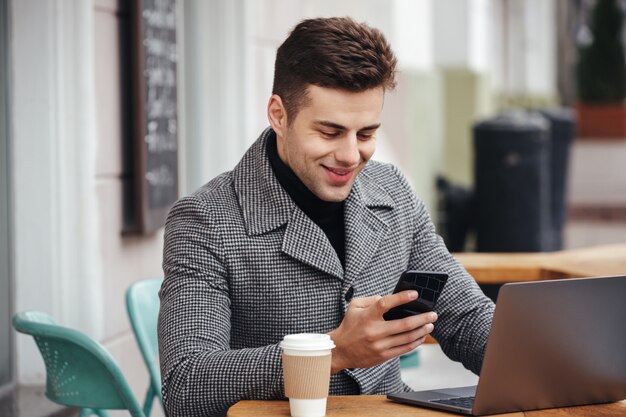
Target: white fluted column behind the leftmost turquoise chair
{"points": [[57, 256]]}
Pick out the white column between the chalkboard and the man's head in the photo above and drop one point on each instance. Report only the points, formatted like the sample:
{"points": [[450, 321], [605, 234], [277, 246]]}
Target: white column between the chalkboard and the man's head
{"points": [[217, 88]]}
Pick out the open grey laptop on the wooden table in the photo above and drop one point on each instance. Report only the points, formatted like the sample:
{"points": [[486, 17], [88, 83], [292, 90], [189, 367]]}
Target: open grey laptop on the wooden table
{"points": [[552, 344]]}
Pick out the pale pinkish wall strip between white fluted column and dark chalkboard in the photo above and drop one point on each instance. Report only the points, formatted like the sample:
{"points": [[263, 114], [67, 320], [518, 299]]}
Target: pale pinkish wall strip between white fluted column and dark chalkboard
{"points": [[125, 259]]}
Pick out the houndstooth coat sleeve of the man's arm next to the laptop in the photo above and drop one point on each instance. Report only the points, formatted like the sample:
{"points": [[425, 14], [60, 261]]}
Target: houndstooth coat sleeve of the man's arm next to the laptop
{"points": [[465, 313]]}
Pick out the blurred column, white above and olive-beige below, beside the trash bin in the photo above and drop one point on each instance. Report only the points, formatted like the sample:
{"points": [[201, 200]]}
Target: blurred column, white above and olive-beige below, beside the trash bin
{"points": [[462, 40]]}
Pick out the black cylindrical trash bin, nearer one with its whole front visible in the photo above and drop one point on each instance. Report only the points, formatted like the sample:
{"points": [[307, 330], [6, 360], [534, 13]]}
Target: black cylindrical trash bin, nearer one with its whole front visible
{"points": [[512, 183]]}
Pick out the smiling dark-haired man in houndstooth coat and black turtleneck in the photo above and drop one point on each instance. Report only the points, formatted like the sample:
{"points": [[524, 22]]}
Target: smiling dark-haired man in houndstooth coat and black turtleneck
{"points": [[307, 235]]}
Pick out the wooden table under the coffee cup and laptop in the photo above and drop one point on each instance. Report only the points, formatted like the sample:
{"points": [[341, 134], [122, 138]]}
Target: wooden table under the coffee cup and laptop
{"points": [[379, 406]]}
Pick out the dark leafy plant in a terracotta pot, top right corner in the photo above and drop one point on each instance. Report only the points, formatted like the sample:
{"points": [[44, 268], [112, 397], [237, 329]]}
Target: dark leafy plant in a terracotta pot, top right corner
{"points": [[601, 75]]}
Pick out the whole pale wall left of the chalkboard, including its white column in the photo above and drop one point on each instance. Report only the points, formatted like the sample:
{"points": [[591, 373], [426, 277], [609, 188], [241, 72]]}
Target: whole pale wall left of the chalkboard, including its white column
{"points": [[70, 122]]}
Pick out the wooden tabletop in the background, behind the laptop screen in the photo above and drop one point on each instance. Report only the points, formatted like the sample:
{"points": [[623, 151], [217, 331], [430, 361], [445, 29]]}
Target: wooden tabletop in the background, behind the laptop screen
{"points": [[499, 268]]}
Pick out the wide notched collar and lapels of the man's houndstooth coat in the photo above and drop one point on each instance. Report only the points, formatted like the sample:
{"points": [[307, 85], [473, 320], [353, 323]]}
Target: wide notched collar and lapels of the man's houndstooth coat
{"points": [[266, 206]]}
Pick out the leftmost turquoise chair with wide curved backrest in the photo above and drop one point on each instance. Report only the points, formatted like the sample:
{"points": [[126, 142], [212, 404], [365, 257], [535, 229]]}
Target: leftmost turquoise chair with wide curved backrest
{"points": [[80, 372]]}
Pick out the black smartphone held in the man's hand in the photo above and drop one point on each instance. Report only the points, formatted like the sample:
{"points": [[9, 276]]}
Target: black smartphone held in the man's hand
{"points": [[428, 286]]}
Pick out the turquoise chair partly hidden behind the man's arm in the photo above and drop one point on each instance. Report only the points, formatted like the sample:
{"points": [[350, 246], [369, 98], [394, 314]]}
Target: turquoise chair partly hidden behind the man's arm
{"points": [[142, 303]]}
